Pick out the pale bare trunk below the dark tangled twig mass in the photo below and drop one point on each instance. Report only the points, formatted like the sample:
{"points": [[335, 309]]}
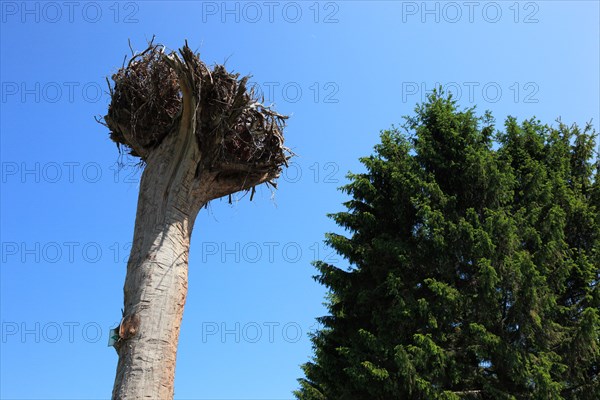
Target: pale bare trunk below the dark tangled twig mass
{"points": [[156, 282]]}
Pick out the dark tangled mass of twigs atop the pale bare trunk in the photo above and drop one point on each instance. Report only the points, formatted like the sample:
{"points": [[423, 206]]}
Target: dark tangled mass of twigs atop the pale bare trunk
{"points": [[239, 139]]}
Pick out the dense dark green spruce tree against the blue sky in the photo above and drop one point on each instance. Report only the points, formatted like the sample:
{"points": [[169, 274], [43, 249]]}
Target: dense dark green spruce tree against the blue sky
{"points": [[473, 265]]}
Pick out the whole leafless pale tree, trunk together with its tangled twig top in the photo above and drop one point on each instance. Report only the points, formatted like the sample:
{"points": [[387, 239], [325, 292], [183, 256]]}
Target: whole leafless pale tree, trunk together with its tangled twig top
{"points": [[201, 134]]}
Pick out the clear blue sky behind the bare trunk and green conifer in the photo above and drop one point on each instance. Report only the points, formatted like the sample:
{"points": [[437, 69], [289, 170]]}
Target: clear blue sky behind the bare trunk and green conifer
{"points": [[342, 70]]}
